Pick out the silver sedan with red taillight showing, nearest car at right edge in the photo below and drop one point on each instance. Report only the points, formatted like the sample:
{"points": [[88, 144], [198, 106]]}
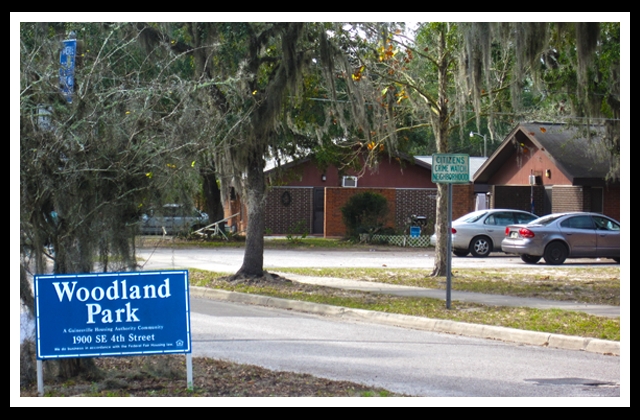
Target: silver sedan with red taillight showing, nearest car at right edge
{"points": [[559, 236]]}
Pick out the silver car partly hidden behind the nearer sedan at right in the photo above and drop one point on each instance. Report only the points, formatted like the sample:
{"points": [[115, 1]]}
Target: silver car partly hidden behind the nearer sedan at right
{"points": [[481, 232]]}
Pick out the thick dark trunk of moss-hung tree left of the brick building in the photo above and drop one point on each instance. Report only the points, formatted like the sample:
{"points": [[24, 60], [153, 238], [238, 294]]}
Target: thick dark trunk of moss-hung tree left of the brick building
{"points": [[255, 193]]}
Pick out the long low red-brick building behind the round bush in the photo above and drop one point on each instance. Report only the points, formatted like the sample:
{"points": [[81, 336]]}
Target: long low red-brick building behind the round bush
{"points": [[305, 199]]}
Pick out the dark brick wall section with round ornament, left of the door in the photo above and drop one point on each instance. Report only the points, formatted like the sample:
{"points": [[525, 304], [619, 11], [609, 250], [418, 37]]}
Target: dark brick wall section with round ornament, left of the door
{"points": [[289, 210]]}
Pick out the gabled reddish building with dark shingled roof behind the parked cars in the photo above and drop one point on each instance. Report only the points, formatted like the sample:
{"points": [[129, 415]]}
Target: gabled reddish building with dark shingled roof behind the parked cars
{"points": [[552, 168]]}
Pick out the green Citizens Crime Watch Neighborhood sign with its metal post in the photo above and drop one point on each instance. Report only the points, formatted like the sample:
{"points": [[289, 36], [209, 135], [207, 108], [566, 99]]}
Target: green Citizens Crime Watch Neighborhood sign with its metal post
{"points": [[450, 169]]}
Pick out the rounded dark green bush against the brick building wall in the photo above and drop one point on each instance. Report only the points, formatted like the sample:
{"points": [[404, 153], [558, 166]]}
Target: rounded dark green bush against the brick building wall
{"points": [[365, 213]]}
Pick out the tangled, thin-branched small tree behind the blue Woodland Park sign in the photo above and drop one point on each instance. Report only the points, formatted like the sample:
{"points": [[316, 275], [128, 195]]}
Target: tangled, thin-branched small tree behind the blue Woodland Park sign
{"points": [[87, 166]]}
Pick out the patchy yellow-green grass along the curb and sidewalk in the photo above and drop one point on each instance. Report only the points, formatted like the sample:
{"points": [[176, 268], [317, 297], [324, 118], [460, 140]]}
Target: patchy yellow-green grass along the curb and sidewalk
{"points": [[551, 321]]}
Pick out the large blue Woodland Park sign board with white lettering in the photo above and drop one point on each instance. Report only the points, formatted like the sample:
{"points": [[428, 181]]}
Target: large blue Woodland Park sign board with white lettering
{"points": [[112, 314]]}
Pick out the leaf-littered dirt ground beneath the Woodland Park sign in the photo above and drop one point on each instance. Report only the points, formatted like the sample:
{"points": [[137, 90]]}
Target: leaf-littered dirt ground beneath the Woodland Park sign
{"points": [[165, 376]]}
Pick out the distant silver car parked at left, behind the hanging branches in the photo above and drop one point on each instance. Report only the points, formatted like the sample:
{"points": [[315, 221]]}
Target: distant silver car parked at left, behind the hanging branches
{"points": [[172, 219]]}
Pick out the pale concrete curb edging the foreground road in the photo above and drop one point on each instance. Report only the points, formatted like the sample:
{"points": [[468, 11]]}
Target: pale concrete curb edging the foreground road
{"points": [[510, 335]]}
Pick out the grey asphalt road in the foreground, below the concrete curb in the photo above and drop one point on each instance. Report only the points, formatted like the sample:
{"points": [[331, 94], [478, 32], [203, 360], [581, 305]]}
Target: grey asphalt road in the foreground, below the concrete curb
{"points": [[412, 362]]}
